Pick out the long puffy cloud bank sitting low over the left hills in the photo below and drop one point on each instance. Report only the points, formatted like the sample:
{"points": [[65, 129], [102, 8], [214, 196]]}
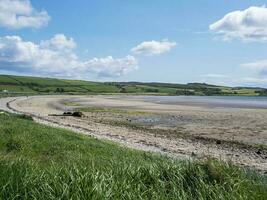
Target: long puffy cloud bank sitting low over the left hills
{"points": [[56, 57]]}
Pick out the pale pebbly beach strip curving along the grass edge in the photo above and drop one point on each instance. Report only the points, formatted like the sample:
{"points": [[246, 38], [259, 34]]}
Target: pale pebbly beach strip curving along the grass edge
{"points": [[179, 148]]}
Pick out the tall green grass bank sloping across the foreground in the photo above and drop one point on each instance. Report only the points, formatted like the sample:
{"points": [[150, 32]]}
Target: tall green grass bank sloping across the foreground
{"points": [[41, 162]]}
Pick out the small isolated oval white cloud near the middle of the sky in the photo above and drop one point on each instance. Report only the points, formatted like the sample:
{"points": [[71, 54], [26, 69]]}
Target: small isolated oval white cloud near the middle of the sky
{"points": [[153, 47]]}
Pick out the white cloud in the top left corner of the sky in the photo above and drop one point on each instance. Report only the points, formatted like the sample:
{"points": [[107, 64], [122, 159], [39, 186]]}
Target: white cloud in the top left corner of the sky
{"points": [[17, 14]]}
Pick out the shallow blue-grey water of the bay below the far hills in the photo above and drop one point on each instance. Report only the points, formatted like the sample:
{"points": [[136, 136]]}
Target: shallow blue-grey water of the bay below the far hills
{"points": [[209, 101]]}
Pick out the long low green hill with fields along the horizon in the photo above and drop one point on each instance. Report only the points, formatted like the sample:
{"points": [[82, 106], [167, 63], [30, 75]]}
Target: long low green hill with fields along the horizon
{"points": [[10, 84]]}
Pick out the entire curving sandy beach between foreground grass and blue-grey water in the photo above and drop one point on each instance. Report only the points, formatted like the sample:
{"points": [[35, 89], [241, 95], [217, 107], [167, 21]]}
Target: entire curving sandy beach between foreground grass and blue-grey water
{"points": [[222, 125]]}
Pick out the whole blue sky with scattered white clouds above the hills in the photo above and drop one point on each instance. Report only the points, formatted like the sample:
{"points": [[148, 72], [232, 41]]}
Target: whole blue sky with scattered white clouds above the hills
{"points": [[218, 42]]}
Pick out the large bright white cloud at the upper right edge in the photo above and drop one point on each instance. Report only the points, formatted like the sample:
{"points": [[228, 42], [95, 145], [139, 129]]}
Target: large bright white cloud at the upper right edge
{"points": [[248, 24]]}
